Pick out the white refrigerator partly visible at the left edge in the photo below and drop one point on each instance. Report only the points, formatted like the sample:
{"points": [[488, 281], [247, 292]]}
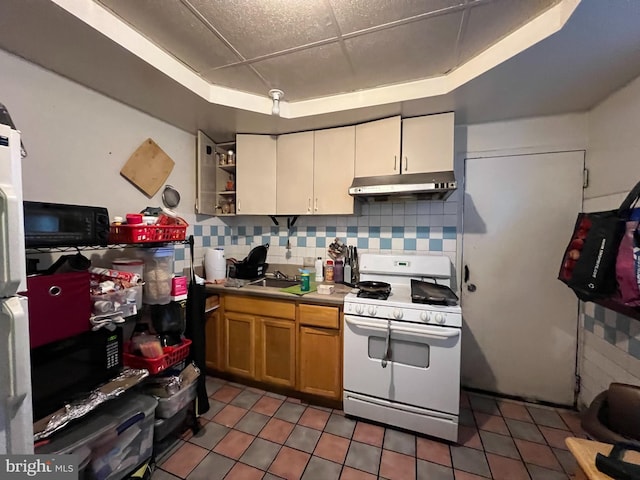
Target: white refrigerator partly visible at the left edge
{"points": [[16, 418]]}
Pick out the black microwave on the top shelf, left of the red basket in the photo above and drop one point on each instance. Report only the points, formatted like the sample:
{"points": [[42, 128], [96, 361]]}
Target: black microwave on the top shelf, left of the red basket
{"points": [[62, 225]]}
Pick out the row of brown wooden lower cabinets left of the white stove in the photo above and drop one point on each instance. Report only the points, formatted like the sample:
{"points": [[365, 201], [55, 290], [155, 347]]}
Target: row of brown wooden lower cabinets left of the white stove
{"points": [[279, 343]]}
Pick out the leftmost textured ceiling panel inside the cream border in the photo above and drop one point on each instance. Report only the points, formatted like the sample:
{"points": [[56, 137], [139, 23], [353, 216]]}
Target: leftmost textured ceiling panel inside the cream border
{"points": [[173, 27]]}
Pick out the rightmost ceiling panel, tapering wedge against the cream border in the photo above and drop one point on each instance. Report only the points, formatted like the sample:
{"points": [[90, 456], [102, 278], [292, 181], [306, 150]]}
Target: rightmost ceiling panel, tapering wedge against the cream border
{"points": [[490, 22]]}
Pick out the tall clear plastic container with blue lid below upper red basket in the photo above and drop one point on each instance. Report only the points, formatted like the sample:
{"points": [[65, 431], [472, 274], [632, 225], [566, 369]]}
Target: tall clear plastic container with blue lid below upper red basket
{"points": [[158, 268]]}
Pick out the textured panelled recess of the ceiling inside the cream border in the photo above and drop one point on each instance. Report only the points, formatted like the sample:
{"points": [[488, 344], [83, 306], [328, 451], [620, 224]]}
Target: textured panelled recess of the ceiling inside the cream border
{"points": [[317, 48]]}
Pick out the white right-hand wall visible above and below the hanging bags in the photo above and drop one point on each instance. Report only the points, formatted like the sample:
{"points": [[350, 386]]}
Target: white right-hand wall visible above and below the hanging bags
{"points": [[610, 341]]}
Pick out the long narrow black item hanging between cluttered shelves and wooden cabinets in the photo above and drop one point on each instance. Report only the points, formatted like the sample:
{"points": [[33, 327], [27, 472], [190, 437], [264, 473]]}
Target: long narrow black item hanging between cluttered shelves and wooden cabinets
{"points": [[195, 331]]}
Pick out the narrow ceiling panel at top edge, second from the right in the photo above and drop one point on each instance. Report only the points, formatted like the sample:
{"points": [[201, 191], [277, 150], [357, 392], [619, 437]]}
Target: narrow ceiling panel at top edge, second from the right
{"points": [[360, 14]]}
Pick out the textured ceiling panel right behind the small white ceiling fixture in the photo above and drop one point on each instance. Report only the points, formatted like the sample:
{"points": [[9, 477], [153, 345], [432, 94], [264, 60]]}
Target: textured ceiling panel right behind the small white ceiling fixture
{"points": [[309, 73]]}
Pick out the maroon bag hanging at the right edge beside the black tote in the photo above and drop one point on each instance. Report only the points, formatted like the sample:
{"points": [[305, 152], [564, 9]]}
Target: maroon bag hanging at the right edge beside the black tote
{"points": [[627, 266]]}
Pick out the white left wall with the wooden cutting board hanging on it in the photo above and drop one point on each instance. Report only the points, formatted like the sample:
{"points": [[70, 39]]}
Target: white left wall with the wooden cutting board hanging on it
{"points": [[78, 140]]}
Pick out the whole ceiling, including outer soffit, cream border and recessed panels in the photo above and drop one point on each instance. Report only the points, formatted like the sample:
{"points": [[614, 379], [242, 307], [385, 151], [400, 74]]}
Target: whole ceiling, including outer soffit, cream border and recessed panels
{"points": [[590, 56]]}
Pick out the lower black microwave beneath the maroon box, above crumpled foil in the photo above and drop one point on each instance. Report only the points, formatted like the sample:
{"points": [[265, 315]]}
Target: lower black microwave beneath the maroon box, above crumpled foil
{"points": [[68, 370]]}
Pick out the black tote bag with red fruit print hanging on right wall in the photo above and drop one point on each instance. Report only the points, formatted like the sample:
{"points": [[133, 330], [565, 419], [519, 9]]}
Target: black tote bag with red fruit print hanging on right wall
{"points": [[589, 262]]}
